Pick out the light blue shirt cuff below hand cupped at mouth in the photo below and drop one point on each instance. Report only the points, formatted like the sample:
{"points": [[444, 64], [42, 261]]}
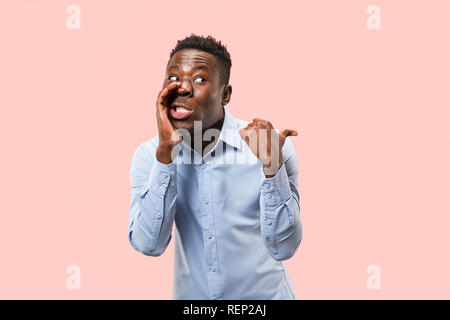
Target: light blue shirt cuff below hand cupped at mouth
{"points": [[162, 179]]}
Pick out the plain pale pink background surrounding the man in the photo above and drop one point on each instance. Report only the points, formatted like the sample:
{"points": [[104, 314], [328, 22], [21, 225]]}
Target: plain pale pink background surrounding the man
{"points": [[372, 108]]}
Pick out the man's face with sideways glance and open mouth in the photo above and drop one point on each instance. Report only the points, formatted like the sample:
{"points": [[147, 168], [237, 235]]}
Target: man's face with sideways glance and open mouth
{"points": [[200, 91]]}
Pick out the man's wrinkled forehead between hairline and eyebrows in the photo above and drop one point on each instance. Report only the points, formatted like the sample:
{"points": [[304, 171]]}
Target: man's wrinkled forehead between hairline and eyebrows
{"points": [[189, 59]]}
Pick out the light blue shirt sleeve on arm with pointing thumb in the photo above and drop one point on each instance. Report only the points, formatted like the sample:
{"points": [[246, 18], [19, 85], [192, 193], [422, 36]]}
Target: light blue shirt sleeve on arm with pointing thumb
{"points": [[281, 227]]}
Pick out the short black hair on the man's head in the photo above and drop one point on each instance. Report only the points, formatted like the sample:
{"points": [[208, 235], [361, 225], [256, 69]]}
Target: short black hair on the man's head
{"points": [[210, 45]]}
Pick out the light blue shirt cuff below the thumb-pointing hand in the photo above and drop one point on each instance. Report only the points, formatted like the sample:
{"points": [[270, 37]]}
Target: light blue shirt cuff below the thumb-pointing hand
{"points": [[276, 190]]}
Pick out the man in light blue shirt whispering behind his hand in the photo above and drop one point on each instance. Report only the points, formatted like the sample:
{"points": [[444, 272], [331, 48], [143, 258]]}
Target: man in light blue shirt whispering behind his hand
{"points": [[235, 221]]}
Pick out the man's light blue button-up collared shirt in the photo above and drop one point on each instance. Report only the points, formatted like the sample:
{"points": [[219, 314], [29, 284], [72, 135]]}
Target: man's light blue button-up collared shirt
{"points": [[233, 226]]}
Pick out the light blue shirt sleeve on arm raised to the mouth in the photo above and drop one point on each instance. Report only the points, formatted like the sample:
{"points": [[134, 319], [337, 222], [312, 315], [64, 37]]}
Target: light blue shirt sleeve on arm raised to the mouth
{"points": [[153, 202]]}
